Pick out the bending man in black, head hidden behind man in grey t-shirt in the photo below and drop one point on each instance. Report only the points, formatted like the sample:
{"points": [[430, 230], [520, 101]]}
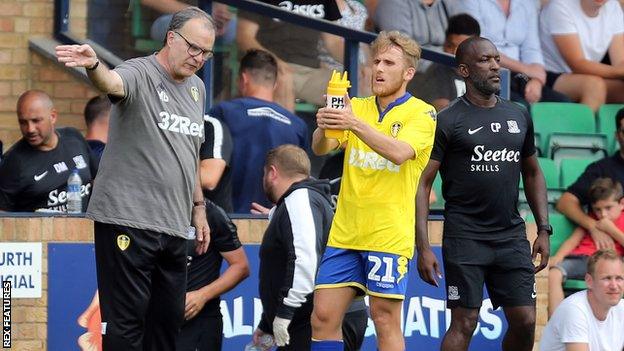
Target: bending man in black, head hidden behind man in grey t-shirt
{"points": [[203, 328]]}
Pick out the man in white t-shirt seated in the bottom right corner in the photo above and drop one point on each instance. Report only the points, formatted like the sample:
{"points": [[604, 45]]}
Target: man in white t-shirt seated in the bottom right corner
{"points": [[591, 319]]}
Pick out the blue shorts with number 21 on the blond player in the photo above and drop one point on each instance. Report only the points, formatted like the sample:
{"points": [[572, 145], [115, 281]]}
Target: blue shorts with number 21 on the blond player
{"points": [[375, 273]]}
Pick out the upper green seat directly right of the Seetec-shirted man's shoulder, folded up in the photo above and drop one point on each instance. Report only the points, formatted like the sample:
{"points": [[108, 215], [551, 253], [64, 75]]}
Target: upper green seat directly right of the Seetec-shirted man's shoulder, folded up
{"points": [[567, 130]]}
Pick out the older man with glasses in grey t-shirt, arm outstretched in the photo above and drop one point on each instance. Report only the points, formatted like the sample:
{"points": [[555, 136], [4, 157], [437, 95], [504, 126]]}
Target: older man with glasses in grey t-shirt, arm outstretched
{"points": [[148, 191]]}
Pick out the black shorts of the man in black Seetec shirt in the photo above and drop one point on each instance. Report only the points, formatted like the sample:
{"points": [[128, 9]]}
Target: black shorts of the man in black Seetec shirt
{"points": [[505, 266]]}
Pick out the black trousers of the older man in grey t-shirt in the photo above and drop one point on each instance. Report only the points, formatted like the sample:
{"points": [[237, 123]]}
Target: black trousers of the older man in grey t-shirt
{"points": [[142, 284]]}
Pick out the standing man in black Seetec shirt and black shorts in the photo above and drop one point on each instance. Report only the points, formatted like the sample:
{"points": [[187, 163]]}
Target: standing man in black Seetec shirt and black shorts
{"points": [[482, 145]]}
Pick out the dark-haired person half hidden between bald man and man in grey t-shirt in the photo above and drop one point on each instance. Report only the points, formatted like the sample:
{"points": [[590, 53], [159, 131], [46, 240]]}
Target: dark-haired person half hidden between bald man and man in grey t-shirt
{"points": [[97, 114]]}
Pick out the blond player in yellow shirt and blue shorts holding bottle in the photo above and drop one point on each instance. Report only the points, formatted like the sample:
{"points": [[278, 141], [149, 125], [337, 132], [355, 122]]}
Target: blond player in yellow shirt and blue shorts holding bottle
{"points": [[387, 140]]}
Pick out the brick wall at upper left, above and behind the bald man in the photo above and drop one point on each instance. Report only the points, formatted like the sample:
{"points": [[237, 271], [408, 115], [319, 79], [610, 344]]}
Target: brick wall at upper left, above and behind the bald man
{"points": [[22, 69]]}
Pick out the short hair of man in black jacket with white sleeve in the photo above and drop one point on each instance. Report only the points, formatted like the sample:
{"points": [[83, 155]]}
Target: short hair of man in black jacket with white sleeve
{"points": [[290, 160]]}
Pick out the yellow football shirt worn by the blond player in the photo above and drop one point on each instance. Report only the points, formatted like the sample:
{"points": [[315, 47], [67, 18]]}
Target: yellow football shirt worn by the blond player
{"points": [[376, 203]]}
